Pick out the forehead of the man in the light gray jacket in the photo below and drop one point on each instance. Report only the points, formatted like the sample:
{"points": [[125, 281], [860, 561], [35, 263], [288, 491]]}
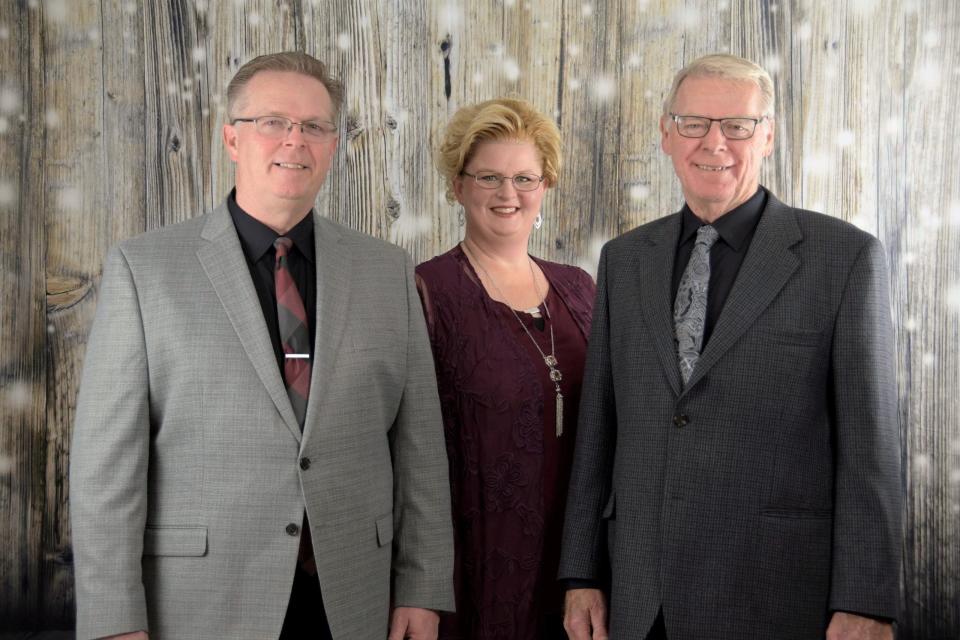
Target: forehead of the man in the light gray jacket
{"points": [[287, 93]]}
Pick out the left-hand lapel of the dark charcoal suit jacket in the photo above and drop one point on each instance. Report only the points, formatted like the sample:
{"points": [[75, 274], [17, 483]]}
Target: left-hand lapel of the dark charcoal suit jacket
{"points": [[655, 256]]}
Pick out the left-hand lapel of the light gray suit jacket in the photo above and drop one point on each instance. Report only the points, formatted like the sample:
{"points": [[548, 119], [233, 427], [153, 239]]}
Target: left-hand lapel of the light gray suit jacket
{"points": [[221, 257]]}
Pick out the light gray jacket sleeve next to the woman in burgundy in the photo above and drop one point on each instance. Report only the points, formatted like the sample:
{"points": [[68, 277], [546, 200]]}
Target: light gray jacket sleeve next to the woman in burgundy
{"points": [[423, 540]]}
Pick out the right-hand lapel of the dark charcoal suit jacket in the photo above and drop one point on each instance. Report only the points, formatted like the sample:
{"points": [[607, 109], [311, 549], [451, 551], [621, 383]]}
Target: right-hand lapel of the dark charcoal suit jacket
{"points": [[766, 268]]}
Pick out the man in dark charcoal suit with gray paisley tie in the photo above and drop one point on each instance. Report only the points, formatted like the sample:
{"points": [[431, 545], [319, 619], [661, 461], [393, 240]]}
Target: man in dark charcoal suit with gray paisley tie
{"points": [[737, 462]]}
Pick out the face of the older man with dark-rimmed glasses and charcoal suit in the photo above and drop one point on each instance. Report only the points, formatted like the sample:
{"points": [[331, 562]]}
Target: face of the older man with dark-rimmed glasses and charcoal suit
{"points": [[717, 174]]}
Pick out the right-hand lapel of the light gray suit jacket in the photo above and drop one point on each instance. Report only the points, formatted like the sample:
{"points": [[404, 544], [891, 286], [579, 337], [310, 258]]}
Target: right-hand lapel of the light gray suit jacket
{"points": [[334, 268]]}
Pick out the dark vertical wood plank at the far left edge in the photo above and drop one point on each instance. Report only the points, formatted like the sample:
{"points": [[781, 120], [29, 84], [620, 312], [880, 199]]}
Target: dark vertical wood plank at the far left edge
{"points": [[22, 323]]}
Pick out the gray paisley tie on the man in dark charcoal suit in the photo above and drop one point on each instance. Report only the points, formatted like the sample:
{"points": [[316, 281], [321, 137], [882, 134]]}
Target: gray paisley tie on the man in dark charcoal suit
{"points": [[690, 307]]}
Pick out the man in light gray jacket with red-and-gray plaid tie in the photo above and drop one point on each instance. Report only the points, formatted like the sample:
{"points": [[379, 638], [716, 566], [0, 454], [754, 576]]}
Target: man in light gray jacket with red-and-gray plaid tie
{"points": [[258, 416]]}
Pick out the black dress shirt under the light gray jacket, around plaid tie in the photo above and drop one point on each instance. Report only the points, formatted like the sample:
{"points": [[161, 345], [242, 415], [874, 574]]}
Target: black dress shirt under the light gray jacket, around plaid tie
{"points": [[257, 239]]}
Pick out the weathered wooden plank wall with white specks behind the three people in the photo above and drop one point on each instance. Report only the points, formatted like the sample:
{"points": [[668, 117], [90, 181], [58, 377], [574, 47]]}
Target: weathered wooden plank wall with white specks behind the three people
{"points": [[109, 125]]}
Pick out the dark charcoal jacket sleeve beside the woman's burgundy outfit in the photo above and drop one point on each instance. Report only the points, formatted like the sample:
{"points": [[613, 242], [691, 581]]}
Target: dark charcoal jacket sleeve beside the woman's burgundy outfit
{"points": [[584, 550]]}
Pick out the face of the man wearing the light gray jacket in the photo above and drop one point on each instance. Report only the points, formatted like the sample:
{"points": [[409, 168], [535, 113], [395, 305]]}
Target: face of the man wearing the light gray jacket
{"points": [[280, 173]]}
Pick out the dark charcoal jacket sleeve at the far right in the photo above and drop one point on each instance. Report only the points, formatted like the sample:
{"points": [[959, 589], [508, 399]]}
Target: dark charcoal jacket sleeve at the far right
{"points": [[868, 490]]}
